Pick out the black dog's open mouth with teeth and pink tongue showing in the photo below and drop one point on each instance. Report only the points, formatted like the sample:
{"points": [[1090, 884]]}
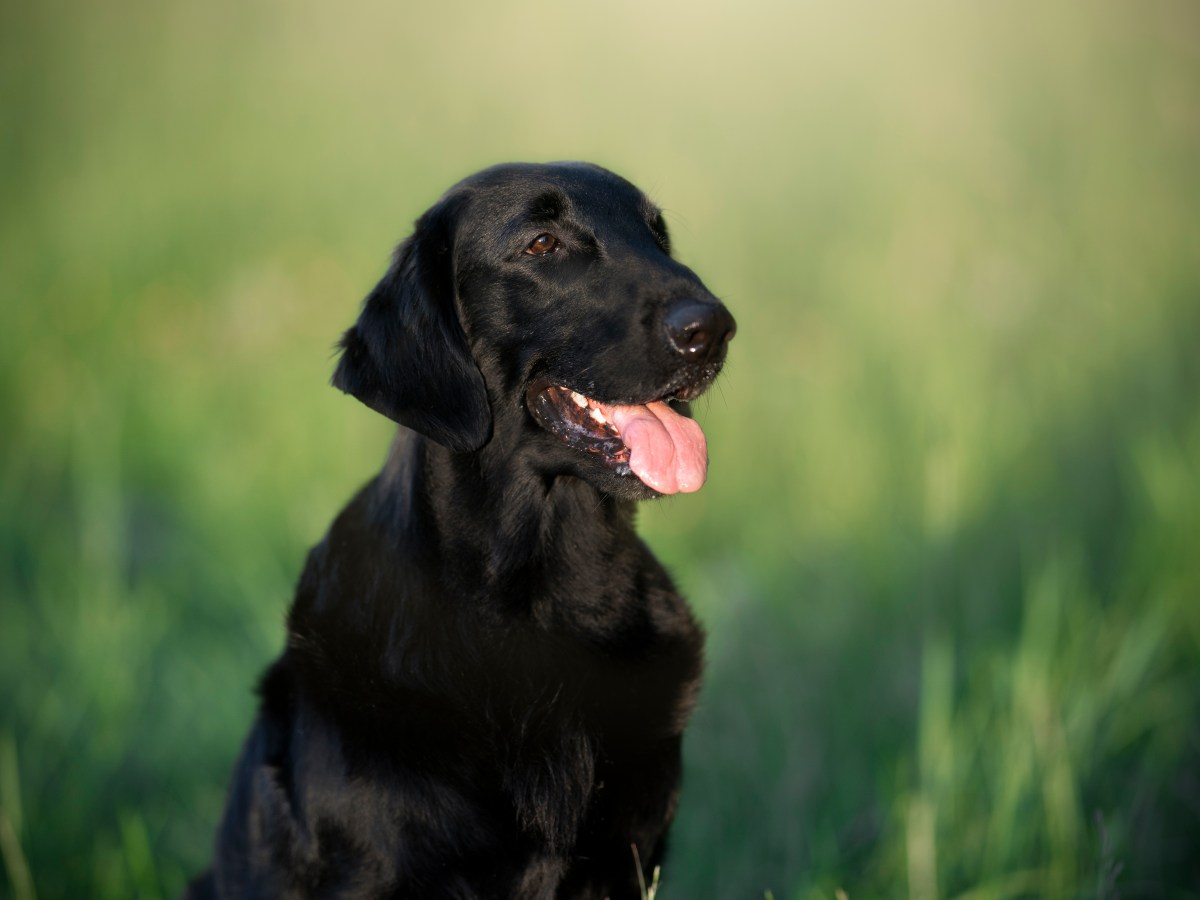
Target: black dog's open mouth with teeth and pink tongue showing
{"points": [[662, 447]]}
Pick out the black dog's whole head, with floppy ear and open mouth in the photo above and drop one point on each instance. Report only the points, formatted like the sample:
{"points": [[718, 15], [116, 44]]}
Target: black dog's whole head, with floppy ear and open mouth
{"points": [[539, 307]]}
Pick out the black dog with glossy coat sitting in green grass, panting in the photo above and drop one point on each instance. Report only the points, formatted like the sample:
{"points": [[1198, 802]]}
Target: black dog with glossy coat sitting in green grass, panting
{"points": [[488, 674]]}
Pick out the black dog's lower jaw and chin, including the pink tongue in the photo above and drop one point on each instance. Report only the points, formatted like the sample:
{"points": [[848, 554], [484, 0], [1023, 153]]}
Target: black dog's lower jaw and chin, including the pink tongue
{"points": [[632, 451]]}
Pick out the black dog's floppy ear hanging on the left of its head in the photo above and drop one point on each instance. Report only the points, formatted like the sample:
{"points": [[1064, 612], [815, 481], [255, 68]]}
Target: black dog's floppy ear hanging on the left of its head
{"points": [[407, 356]]}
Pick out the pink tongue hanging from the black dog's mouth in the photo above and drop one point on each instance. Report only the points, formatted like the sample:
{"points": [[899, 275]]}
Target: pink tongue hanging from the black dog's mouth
{"points": [[667, 451]]}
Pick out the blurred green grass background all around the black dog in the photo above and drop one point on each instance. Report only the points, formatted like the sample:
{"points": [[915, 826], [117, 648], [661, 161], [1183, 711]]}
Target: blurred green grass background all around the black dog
{"points": [[949, 553]]}
